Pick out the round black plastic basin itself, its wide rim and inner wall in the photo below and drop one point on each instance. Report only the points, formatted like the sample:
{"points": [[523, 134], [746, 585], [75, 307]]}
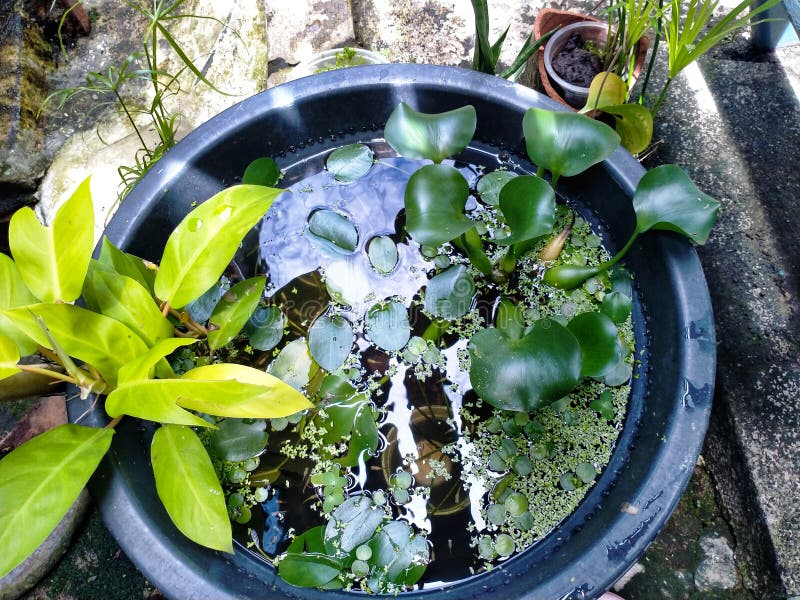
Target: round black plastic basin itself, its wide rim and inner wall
{"points": [[669, 405]]}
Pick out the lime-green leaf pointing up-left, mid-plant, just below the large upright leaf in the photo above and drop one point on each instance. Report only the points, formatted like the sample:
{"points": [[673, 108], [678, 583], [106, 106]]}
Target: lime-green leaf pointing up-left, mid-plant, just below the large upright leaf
{"points": [[125, 300]]}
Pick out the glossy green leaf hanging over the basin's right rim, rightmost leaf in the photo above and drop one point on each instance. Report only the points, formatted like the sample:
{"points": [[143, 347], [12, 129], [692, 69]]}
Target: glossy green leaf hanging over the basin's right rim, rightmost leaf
{"points": [[667, 199]]}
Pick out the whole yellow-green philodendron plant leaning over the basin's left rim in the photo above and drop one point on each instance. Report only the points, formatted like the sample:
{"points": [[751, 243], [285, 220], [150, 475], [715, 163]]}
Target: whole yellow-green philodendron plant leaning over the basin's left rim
{"points": [[135, 315]]}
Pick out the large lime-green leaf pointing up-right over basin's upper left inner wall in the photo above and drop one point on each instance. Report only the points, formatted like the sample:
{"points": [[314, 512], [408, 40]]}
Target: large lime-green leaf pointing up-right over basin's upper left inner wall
{"points": [[201, 246]]}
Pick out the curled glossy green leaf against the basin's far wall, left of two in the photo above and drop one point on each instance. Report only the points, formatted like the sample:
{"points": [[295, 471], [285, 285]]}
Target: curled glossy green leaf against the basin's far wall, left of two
{"points": [[433, 136]]}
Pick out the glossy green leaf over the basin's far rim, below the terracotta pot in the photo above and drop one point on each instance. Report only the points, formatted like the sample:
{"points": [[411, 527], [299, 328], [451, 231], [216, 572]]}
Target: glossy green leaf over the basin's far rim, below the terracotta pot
{"points": [[566, 143]]}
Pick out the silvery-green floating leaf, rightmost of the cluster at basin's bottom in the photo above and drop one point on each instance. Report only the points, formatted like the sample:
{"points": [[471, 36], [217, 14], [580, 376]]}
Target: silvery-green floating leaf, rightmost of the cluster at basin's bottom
{"points": [[401, 555]]}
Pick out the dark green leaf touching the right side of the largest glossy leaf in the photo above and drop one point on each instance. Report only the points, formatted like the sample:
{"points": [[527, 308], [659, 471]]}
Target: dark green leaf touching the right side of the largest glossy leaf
{"points": [[599, 341]]}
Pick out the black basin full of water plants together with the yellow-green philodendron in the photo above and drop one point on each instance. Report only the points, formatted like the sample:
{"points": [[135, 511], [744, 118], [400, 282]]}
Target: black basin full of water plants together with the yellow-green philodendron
{"points": [[458, 255]]}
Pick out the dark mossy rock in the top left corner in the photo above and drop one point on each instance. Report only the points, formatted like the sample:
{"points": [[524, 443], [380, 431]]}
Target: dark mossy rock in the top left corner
{"points": [[24, 62]]}
